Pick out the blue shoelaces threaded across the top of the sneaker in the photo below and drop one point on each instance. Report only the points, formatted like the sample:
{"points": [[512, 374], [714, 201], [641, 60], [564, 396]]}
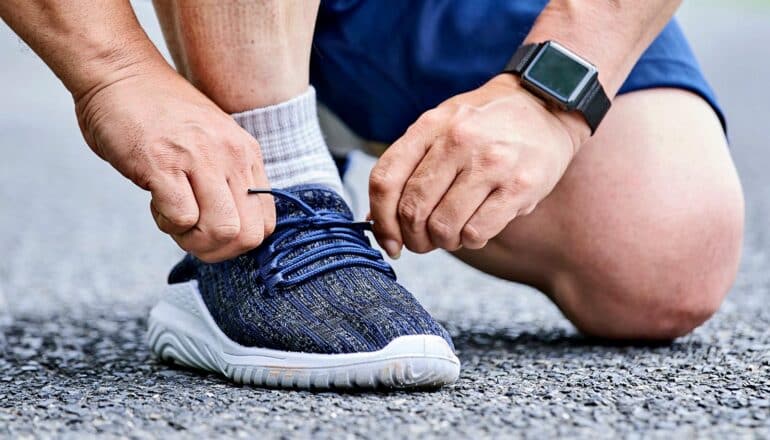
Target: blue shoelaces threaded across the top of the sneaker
{"points": [[276, 269]]}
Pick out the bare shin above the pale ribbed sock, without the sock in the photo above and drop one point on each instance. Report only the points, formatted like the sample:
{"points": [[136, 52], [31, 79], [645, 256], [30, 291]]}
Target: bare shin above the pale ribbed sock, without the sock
{"points": [[241, 54]]}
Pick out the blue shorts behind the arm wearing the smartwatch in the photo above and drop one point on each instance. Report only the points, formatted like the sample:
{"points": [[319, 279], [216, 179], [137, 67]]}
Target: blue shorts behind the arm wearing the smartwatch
{"points": [[379, 65]]}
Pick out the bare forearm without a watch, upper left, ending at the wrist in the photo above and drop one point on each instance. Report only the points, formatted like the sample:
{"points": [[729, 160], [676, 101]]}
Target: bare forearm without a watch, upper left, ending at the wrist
{"points": [[85, 43]]}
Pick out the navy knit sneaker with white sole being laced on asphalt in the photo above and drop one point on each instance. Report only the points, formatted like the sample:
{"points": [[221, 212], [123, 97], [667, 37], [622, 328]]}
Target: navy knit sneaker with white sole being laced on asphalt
{"points": [[314, 306]]}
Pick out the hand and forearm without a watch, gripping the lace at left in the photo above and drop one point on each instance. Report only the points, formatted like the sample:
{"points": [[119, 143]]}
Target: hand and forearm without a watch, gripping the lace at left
{"points": [[153, 126]]}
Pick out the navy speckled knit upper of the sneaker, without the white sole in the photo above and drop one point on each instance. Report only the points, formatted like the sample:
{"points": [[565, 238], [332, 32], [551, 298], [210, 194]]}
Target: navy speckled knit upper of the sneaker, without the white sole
{"points": [[315, 285]]}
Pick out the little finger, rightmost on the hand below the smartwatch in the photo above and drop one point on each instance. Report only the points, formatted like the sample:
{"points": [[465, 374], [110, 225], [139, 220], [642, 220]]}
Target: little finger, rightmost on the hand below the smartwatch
{"points": [[494, 214]]}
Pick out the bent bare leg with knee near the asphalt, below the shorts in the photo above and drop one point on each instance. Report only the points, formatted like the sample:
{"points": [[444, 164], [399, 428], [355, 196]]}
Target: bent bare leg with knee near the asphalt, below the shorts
{"points": [[642, 237]]}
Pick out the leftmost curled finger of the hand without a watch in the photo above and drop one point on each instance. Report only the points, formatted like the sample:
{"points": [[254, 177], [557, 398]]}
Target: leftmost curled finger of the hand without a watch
{"points": [[173, 204]]}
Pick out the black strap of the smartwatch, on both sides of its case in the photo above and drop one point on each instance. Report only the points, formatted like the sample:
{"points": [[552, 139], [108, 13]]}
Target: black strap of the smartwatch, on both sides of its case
{"points": [[593, 105]]}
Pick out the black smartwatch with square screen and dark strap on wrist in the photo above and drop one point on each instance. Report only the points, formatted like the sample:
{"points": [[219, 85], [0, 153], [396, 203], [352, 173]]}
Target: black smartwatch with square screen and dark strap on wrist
{"points": [[561, 77]]}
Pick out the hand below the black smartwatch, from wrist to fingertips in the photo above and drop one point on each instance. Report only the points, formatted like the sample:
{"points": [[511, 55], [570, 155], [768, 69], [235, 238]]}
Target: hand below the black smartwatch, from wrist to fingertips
{"points": [[467, 168]]}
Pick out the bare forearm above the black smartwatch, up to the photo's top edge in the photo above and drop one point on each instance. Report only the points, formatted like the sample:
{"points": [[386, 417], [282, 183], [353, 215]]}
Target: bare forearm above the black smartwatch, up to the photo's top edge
{"points": [[612, 34]]}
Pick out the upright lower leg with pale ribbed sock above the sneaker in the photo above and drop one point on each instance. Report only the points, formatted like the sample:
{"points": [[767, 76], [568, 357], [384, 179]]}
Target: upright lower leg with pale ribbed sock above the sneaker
{"points": [[252, 58]]}
